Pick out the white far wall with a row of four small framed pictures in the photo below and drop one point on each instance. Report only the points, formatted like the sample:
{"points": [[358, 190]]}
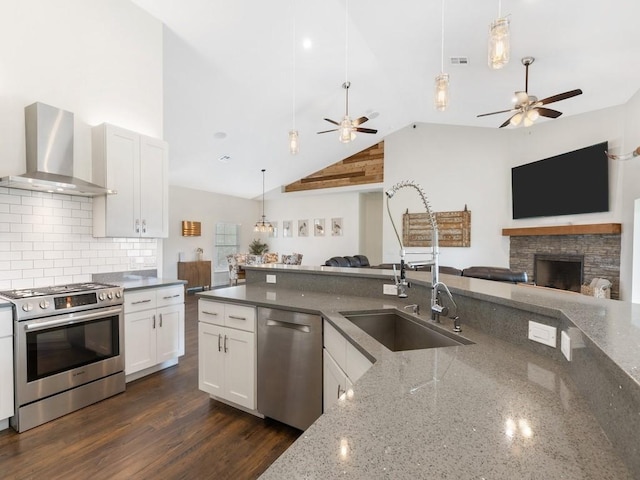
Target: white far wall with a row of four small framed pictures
{"points": [[326, 205]]}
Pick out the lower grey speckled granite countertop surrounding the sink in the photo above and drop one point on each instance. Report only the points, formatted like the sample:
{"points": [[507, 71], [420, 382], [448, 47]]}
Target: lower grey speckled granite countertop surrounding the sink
{"points": [[487, 410]]}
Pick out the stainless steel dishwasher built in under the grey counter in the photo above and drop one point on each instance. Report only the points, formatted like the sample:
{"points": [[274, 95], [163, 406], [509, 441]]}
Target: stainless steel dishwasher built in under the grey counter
{"points": [[289, 366]]}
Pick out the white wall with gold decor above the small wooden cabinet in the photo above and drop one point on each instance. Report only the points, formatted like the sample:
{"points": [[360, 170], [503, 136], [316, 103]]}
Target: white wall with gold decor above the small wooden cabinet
{"points": [[208, 209]]}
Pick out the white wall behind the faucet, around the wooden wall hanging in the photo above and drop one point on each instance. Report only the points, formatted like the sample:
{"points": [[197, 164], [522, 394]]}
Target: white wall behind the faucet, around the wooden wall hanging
{"points": [[456, 166]]}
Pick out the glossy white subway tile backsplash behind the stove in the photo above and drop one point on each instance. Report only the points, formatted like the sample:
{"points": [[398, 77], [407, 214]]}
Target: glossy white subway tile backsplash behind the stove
{"points": [[46, 239]]}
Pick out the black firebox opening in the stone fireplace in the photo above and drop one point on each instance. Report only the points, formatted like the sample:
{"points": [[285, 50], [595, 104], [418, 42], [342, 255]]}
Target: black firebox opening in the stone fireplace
{"points": [[564, 272]]}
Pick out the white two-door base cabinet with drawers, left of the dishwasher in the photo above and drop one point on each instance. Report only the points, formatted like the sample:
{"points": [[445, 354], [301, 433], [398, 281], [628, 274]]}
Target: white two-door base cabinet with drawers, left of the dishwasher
{"points": [[227, 352]]}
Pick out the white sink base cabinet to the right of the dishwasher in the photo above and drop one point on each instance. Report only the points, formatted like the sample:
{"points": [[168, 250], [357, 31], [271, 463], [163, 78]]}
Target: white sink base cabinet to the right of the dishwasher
{"points": [[343, 365]]}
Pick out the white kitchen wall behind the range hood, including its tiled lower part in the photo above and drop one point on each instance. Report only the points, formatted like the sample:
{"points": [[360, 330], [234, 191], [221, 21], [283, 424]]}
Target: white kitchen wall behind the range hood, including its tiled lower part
{"points": [[101, 60]]}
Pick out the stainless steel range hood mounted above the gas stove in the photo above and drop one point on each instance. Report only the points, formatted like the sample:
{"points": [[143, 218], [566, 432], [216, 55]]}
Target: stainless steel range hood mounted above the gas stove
{"points": [[49, 147]]}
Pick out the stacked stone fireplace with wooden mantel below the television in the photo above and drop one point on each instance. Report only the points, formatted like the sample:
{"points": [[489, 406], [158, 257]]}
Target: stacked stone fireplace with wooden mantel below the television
{"points": [[596, 247]]}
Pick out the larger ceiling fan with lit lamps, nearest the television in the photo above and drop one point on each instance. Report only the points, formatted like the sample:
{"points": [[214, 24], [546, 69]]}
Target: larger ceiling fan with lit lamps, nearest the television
{"points": [[528, 108]]}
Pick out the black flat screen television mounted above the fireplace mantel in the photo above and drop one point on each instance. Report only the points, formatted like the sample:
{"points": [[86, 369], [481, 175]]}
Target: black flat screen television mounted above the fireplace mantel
{"points": [[571, 183]]}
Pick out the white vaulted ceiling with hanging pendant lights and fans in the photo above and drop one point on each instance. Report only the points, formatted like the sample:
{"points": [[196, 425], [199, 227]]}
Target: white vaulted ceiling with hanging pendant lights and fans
{"points": [[238, 75]]}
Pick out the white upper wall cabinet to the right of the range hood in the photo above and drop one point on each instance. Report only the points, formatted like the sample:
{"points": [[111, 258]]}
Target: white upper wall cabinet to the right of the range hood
{"points": [[136, 166]]}
